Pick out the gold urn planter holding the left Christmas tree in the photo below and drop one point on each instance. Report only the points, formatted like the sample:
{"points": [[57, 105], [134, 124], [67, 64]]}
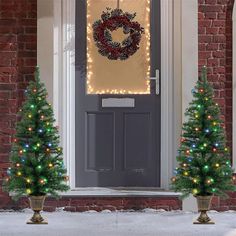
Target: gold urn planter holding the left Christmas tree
{"points": [[36, 204]]}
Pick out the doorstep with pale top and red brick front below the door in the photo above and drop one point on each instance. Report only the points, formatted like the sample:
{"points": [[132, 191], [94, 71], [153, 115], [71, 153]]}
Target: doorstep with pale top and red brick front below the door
{"points": [[99, 199]]}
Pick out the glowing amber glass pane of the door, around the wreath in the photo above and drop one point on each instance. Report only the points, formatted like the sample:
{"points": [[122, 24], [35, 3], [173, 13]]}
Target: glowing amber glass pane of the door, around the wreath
{"points": [[130, 76]]}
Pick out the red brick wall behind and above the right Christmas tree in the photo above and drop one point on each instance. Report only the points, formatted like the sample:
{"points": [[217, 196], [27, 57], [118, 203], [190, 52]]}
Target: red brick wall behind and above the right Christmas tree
{"points": [[215, 51]]}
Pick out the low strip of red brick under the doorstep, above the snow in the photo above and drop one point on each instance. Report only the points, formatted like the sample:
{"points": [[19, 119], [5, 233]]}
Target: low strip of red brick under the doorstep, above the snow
{"points": [[81, 204]]}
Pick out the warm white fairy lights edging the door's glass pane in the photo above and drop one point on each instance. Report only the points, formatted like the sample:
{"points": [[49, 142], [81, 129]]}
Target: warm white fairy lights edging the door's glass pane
{"points": [[90, 89]]}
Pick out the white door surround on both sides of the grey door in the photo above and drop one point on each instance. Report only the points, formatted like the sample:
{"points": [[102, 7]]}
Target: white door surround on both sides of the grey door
{"points": [[179, 71]]}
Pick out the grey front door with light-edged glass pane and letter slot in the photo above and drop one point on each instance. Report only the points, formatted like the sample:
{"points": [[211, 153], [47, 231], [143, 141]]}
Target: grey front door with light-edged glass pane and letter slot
{"points": [[117, 102]]}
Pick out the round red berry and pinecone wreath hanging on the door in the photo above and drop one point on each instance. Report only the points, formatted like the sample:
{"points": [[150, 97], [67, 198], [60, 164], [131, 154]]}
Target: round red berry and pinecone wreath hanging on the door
{"points": [[112, 20]]}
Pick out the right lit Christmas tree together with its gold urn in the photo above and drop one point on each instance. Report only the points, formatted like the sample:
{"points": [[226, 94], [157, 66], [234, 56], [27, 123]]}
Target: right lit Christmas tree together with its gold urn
{"points": [[204, 163]]}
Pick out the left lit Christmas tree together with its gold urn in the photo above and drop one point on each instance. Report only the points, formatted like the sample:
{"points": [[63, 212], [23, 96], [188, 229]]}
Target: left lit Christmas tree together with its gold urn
{"points": [[37, 168]]}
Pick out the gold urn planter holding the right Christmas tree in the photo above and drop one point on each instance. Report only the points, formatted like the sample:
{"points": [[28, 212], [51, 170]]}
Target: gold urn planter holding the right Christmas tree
{"points": [[203, 203]]}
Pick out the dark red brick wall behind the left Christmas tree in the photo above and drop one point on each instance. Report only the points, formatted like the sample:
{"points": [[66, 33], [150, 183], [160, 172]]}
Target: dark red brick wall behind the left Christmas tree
{"points": [[18, 34]]}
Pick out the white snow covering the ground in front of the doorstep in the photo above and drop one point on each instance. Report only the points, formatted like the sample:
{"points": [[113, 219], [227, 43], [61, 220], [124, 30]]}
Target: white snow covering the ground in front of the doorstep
{"points": [[149, 222]]}
